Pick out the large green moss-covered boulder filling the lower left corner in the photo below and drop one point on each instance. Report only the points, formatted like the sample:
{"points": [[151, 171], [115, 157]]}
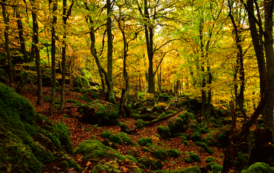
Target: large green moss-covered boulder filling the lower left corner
{"points": [[25, 146]]}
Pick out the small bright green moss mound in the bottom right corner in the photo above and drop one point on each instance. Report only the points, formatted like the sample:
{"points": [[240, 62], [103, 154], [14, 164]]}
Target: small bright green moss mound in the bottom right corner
{"points": [[259, 167]]}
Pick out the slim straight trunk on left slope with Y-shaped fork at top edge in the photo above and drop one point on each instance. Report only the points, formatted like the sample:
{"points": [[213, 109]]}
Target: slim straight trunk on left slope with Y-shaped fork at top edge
{"points": [[64, 67]]}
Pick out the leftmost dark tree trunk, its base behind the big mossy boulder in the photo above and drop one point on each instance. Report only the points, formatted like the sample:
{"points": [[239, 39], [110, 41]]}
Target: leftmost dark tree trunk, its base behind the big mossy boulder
{"points": [[6, 34]]}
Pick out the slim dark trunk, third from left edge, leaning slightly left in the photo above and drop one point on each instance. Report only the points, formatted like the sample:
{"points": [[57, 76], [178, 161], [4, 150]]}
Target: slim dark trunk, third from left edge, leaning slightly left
{"points": [[37, 54]]}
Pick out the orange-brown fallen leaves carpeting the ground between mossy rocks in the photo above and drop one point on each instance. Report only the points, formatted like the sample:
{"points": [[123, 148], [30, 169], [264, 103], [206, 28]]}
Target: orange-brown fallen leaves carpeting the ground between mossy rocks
{"points": [[81, 132]]}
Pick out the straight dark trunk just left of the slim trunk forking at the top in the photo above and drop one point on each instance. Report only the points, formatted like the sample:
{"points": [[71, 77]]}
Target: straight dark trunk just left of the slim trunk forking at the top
{"points": [[53, 52]]}
